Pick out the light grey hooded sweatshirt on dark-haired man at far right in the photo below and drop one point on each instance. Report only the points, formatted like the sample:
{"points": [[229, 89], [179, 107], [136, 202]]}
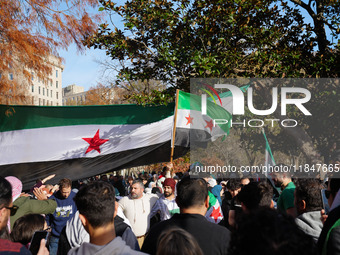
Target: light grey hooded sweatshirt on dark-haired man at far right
{"points": [[310, 223]]}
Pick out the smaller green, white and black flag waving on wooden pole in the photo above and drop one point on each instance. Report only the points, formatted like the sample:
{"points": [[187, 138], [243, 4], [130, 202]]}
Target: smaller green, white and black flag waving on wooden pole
{"points": [[193, 128]]}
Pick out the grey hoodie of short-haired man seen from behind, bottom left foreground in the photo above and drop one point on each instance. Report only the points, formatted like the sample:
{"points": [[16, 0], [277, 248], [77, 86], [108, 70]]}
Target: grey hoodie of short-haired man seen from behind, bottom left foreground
{"points": [[116, 247]]}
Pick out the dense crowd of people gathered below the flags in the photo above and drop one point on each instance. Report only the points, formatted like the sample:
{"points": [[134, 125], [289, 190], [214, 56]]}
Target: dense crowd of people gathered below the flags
{"points": [[160, 213]]}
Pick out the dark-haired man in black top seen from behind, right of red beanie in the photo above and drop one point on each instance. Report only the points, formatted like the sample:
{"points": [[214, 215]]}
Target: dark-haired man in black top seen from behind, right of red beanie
{"points": [[193, 201]]}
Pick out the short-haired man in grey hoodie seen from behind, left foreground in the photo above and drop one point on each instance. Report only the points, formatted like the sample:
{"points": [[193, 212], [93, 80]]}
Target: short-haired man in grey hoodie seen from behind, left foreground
{"points": [[97, 209]]}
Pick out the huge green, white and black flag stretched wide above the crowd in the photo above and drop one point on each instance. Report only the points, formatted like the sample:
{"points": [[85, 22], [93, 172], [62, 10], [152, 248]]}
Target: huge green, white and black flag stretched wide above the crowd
{"points": [[81, 141]]}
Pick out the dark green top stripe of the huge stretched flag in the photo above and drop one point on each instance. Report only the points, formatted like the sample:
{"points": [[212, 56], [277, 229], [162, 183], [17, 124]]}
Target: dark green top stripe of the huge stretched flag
{"points": [[27, 117]]}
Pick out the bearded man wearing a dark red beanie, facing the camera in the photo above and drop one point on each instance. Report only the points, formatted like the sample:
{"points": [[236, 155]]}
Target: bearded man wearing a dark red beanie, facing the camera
{"points": [[166, 204]]}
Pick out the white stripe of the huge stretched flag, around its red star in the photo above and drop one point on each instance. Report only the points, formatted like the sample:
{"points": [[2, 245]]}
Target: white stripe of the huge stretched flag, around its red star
{"points": [[66, 142]]}
